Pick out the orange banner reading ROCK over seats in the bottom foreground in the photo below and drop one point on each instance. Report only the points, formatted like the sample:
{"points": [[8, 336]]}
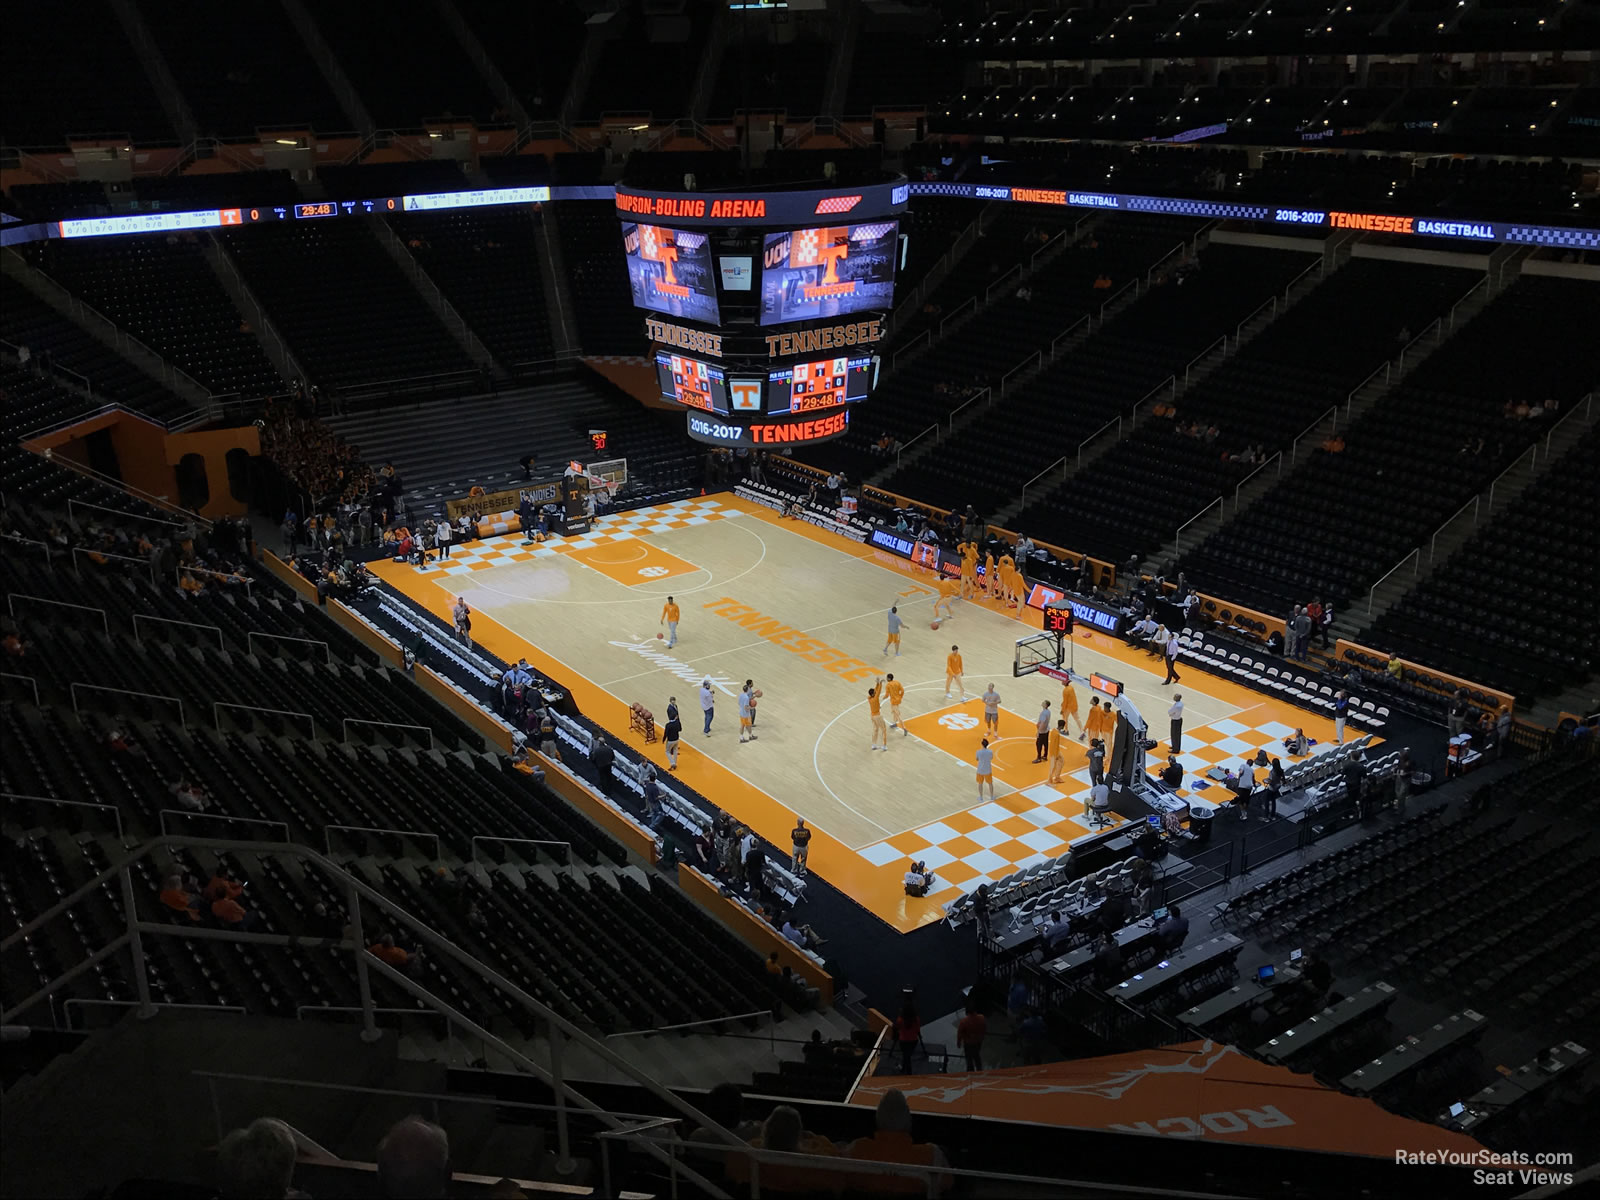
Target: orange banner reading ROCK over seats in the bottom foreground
{"points": [[1191, 1090]]}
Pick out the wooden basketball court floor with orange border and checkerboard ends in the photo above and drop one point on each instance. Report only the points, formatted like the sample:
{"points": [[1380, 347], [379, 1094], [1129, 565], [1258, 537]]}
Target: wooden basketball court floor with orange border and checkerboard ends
{"points": [[804, 615]]}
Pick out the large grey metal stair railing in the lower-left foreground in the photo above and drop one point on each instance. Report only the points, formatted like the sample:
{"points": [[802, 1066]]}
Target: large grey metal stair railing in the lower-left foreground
{"points": [[559, 1028]]}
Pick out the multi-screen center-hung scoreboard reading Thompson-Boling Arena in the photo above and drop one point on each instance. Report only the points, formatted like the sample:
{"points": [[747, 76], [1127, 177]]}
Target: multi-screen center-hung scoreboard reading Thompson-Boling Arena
{"points": [[767, 306]]}
